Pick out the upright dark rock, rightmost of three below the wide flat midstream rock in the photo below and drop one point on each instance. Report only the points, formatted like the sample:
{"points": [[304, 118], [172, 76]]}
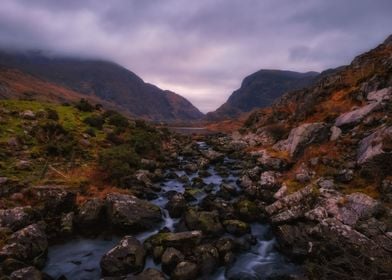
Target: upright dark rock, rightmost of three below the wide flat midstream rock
{"points": [[207, 258]]}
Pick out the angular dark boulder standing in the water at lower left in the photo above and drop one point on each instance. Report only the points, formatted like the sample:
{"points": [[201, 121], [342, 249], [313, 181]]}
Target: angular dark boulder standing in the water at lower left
{"points": [[127, 257]]}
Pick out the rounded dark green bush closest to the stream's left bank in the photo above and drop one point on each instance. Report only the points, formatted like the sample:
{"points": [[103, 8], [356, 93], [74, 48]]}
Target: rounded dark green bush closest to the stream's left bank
{"points": [[119, 162]]}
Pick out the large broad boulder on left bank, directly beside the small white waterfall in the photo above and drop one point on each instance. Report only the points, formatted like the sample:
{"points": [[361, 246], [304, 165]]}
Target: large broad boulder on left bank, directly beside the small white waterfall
{"points": [[127, 212]]}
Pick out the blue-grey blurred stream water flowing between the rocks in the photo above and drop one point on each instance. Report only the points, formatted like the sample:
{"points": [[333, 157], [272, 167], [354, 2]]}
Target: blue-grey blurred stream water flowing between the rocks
{"points": [[80, 258]]}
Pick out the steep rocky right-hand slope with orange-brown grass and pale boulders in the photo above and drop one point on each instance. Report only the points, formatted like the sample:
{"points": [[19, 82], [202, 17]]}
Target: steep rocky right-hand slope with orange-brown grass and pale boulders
{"points": [[319, 160]]}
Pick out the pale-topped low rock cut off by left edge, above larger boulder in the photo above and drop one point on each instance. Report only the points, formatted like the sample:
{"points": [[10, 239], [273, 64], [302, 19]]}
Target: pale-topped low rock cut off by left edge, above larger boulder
{"points": [[17, 218]]}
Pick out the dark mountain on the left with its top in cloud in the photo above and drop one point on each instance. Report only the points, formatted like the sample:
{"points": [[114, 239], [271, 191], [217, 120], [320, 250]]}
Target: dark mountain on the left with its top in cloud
{"points": [[106, 81]]}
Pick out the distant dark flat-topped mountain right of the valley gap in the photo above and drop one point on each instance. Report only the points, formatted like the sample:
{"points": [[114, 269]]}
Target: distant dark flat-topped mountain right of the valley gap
{"points": [[260, 89]]}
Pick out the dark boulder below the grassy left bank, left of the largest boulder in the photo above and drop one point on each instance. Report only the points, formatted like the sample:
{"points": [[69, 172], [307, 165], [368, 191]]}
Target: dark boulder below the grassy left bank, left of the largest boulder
{"points": [[55, 199]]}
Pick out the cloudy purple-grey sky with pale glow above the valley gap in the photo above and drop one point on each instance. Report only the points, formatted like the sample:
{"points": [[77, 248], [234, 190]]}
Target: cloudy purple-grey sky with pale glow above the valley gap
{"points": [[200, 49]]}
